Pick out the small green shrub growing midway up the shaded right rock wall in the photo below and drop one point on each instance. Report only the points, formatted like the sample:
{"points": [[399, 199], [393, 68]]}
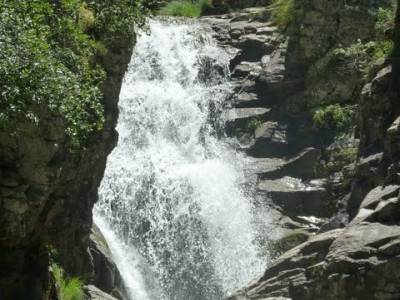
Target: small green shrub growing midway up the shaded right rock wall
{"points": [[333, 117]]}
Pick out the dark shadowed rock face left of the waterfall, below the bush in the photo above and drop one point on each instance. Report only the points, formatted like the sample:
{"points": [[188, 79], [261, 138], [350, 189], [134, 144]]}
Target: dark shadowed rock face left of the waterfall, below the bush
{"points": [[48, 192]]}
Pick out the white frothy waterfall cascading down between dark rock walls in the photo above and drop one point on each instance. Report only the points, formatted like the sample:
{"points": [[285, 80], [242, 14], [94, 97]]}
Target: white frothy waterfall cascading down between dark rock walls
{"points": [[170, 207]]}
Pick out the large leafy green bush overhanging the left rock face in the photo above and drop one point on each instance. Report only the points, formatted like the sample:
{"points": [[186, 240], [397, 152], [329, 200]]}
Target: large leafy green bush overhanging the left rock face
{"points": [[48, 64]]}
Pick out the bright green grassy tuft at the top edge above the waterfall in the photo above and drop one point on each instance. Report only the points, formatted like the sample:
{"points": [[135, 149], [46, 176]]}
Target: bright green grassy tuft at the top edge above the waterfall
{"points": [[186, 8]]}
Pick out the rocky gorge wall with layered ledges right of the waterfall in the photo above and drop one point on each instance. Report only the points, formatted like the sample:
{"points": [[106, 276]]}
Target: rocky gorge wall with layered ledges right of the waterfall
{"points": [[339, 212]]}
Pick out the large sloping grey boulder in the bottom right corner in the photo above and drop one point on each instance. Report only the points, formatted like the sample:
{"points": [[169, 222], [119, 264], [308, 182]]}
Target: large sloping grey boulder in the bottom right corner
{"points": [[329, 266]]}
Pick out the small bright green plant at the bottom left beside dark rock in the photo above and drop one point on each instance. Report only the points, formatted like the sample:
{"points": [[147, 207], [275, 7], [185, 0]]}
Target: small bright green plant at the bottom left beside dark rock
{"points": [[68, 288]]}
